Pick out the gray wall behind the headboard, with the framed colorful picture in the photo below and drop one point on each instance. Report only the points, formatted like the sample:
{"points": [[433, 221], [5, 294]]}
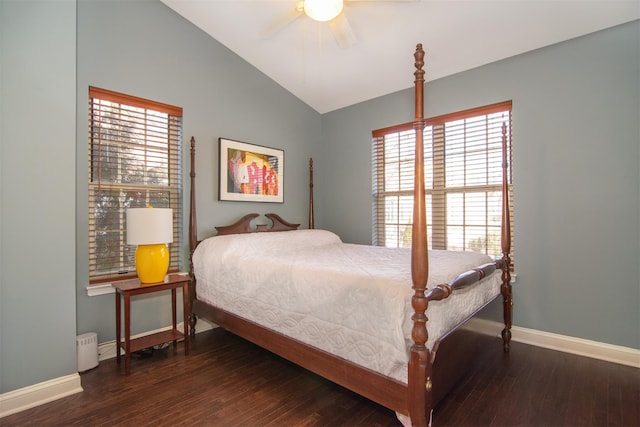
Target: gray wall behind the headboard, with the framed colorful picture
{"points": [[156, 54]]}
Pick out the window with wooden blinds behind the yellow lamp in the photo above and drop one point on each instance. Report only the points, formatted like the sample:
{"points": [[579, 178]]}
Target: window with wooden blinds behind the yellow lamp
{"points": [[134, 161]]}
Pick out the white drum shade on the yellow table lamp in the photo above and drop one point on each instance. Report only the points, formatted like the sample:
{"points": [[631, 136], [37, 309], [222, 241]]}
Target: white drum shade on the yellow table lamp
{"points": [[149, 226]]}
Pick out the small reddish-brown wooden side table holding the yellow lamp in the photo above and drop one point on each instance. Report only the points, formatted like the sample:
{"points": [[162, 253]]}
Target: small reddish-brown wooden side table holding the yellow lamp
{"points": [[129, 288]]}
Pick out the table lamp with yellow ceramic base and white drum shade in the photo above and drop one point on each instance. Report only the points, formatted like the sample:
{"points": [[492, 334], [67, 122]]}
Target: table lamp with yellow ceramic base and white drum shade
{"points": [[151, 229]]}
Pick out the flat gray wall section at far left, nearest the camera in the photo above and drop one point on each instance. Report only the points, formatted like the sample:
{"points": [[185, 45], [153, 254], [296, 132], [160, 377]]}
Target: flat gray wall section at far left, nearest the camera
{"points": [[37, 192]]}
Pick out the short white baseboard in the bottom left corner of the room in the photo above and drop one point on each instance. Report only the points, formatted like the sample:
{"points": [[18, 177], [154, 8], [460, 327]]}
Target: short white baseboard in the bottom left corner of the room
{"points": [[39, 394]]}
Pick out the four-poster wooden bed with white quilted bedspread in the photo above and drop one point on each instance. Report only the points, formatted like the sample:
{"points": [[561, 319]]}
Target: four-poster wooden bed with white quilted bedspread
{"points": [[354, 314]]}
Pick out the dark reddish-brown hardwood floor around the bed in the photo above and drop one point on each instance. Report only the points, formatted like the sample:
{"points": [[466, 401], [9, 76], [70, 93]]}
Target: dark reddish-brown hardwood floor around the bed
{"points": [[227, 381]]}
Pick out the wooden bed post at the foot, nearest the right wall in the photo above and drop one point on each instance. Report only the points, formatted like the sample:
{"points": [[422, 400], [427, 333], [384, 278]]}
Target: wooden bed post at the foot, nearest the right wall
{"points": [[505, 288]]}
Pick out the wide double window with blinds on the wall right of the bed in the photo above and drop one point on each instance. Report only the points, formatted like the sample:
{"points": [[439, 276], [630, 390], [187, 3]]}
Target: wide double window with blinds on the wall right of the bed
{"points": [[463, 180]]}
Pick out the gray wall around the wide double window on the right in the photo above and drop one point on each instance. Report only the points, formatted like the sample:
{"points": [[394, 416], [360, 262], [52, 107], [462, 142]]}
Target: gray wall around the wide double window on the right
{"points": [[576, 174]]}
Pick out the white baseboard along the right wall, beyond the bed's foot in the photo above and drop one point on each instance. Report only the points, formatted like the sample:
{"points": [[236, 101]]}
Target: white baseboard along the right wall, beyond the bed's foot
{"points": [[596, 350]]}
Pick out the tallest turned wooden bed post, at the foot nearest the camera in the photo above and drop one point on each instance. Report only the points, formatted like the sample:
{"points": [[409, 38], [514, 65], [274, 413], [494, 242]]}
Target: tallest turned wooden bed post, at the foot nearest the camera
{"points": [[420, 383]]}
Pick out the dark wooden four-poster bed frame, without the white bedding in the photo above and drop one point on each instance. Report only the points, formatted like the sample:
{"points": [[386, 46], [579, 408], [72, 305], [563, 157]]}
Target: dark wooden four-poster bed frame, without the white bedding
{"points": [[429, 378]]}
